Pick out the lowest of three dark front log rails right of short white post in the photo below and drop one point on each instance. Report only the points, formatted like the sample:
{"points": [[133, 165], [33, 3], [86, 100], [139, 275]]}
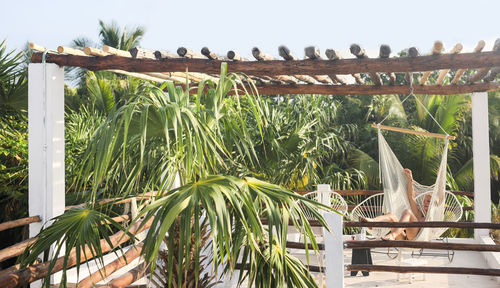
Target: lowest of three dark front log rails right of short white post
{"points": [[423, 269]]}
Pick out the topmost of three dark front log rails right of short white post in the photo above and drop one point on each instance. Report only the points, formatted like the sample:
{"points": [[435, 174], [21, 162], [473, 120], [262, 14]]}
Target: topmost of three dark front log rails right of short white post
{"points": [[429, 224]]}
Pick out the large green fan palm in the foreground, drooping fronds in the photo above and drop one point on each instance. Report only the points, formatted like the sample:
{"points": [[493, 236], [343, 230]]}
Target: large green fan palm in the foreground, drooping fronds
{"points": [[143, 145]]}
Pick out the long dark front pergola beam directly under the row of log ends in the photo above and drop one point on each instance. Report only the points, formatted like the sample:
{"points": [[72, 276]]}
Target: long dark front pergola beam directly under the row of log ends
{"points": [[277, 67]]}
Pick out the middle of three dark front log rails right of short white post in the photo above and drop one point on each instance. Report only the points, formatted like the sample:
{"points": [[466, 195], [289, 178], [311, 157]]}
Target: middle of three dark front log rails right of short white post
{"points": [[421, 244]]}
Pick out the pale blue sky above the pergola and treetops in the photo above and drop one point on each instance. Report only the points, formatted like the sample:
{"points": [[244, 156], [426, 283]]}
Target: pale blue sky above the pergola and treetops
{"points": [[224, 25]]}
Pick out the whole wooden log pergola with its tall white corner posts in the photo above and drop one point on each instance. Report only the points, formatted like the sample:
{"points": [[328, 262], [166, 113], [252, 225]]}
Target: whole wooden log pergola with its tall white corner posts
{"points": [[317, 74]]}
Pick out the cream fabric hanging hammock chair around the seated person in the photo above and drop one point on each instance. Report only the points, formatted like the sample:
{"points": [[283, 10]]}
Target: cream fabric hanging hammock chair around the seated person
{"points": [[395, 183]]}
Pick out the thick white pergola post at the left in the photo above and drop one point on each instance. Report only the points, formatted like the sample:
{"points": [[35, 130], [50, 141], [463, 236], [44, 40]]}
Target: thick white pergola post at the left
{"points": [[45, 143]]}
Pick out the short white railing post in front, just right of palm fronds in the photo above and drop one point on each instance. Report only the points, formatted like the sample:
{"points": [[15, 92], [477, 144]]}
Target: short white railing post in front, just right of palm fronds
{"points": [[334, 251]]}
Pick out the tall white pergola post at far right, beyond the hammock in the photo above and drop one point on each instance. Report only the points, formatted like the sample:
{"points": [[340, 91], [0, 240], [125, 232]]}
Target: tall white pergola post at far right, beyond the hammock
{"points": [[481, 154]]}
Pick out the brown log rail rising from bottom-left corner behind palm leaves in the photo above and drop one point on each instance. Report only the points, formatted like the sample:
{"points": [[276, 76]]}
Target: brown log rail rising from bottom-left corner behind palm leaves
{"points": [[30, 274]]}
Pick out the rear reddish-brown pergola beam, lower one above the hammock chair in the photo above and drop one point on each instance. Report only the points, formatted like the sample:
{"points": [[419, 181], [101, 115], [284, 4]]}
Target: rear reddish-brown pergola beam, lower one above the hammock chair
{"points": [[374, 90]]}
